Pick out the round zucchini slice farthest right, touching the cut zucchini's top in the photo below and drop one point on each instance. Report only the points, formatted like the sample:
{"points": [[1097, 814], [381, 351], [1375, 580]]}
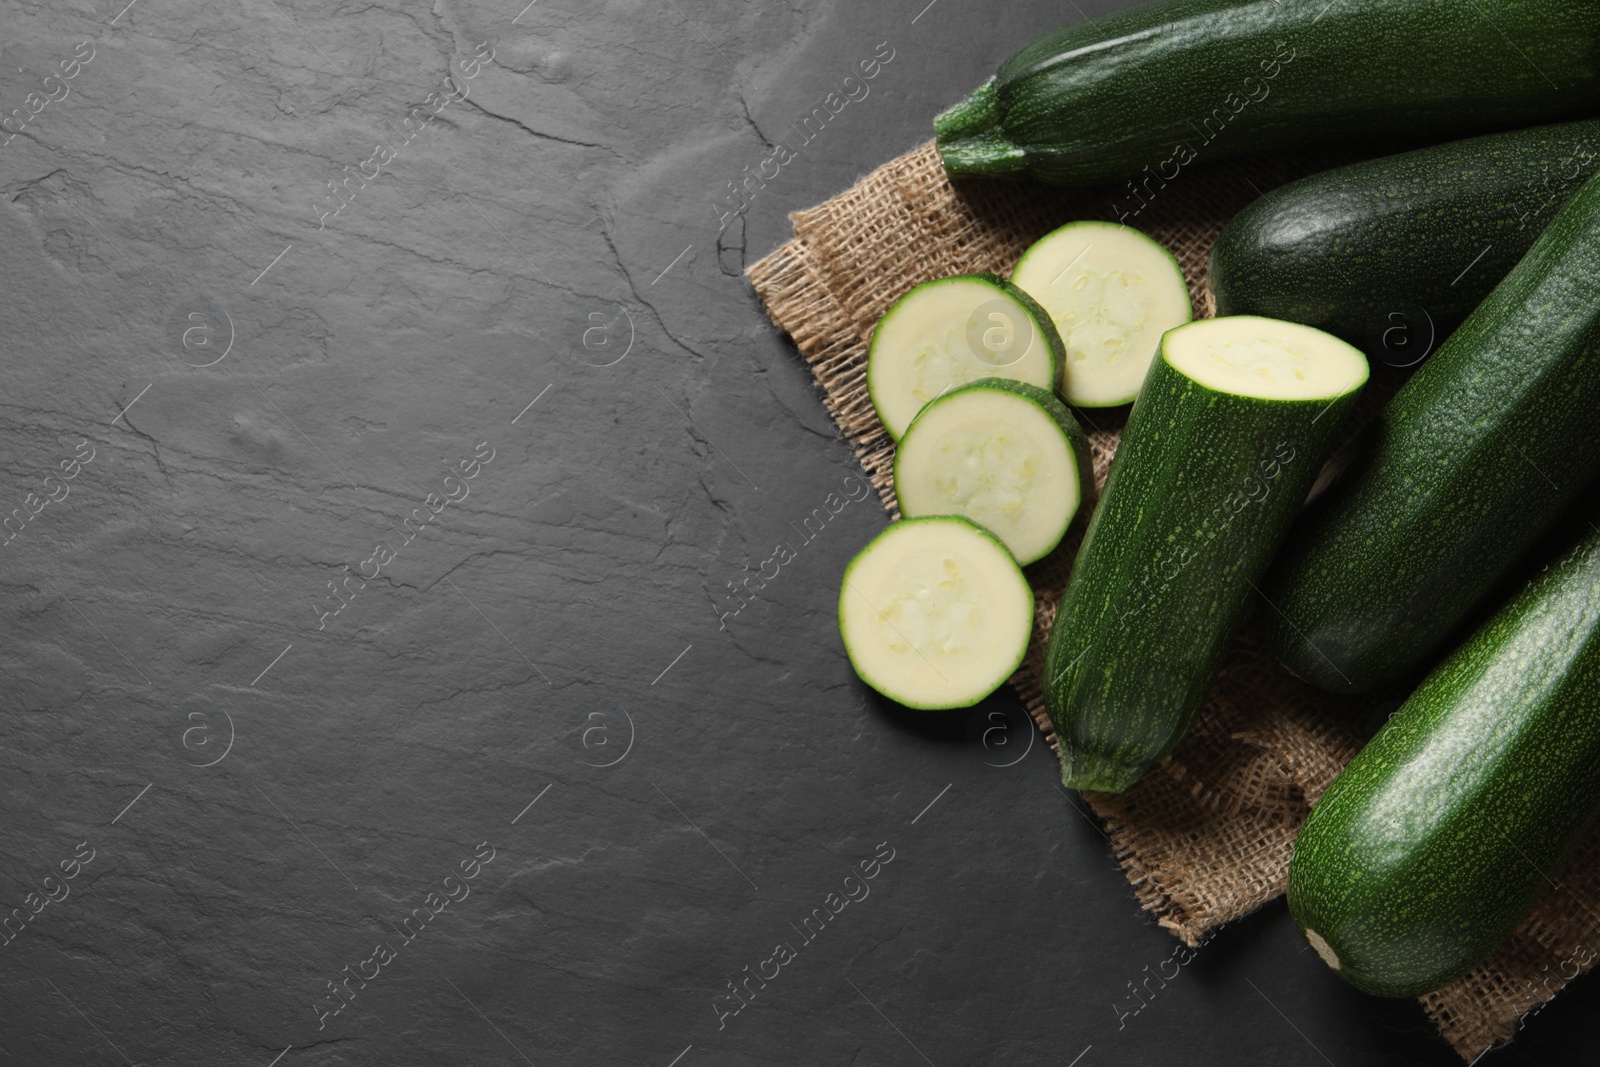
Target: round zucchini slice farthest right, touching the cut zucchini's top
{"points": [[1111, 292]]}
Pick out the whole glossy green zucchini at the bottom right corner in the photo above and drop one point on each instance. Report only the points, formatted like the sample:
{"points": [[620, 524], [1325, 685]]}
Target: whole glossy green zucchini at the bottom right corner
{"points": [[1442, 833]]}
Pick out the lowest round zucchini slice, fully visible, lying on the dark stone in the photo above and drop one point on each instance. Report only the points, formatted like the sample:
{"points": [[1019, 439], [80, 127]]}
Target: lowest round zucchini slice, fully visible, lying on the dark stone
{"points": [[935, 613]]}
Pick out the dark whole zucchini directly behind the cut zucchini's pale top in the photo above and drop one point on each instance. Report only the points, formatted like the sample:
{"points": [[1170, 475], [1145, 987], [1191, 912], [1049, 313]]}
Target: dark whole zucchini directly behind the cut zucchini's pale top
{"points": [[1359, 250]]}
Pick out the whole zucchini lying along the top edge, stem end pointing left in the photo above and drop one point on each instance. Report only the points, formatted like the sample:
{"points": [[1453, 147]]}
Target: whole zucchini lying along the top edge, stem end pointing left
{"points": [[1143, 94]]}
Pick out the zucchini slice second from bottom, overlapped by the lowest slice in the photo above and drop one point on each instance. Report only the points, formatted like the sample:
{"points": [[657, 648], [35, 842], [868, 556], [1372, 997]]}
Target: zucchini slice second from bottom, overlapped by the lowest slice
{"points": [[1006, 455]]}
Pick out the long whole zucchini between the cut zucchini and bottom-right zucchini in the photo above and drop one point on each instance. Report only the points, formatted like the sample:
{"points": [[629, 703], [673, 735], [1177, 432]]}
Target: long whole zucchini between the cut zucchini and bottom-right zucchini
{"points": [[1473, 462]]}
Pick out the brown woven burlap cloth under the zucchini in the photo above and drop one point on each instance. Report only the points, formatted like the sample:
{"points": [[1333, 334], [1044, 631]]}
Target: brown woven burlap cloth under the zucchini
{"points": [[1206, 836]]}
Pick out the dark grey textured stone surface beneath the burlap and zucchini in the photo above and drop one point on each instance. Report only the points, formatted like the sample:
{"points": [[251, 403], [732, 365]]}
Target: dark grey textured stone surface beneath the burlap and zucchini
{"points": [[270, 793]]}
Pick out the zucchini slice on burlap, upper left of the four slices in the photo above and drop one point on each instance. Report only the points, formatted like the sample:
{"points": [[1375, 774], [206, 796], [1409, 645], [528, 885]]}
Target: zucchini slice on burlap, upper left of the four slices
{"points": [[953, 332]]}
